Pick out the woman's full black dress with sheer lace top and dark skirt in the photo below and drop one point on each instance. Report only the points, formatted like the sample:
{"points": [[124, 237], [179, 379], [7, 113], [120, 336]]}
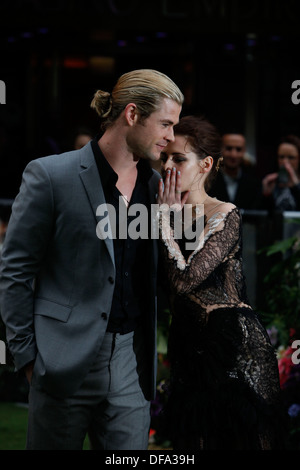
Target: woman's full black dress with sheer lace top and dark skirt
{"points": [[216, 341]]}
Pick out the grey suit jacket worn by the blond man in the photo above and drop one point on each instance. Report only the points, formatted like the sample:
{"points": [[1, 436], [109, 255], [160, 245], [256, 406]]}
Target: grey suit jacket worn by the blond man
{"points": [[57, 276]]}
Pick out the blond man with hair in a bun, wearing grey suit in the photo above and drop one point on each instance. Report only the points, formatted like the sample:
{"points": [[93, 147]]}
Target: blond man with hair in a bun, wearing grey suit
{"points": [[79, 308]]}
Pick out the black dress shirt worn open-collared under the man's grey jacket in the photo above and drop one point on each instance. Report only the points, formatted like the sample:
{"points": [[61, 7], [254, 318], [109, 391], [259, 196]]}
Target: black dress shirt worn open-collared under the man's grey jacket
{"points": [[132, 257]]}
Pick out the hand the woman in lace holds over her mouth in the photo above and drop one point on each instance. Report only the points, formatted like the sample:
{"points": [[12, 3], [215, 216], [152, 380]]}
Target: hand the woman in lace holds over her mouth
{"points": [[169, 191]]}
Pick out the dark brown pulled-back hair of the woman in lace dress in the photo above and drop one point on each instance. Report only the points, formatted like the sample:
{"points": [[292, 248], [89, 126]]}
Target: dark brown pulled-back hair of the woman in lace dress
{"points": [[204, 139]]}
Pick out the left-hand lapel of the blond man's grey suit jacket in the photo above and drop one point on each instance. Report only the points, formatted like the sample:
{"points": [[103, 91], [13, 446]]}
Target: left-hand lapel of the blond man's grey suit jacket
{"points": [[91, 180]]}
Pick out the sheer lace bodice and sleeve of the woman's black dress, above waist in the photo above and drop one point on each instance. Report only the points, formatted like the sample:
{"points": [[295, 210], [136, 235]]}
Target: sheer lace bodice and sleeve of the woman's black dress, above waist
{"points": [[212, 274]]}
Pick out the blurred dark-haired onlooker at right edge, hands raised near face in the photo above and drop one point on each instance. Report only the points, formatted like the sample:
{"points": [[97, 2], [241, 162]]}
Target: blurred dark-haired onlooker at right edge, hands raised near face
{"points": [[281, 190]]}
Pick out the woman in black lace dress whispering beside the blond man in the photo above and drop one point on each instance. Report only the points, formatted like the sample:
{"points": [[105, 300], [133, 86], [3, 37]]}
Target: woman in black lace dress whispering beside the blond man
{"points": [[224, 390]]}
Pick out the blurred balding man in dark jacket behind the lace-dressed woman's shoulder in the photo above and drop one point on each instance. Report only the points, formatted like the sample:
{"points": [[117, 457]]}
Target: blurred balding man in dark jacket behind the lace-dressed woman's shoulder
{"points": [[234, 182]]}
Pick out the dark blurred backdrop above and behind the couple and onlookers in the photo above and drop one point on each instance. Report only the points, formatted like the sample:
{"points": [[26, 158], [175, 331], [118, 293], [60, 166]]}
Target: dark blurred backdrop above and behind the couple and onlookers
{"points": [[235, 61]]}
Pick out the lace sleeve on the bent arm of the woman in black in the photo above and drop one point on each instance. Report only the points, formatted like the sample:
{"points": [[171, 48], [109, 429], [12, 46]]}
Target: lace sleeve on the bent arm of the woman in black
{"points": [[222, 234]]}
